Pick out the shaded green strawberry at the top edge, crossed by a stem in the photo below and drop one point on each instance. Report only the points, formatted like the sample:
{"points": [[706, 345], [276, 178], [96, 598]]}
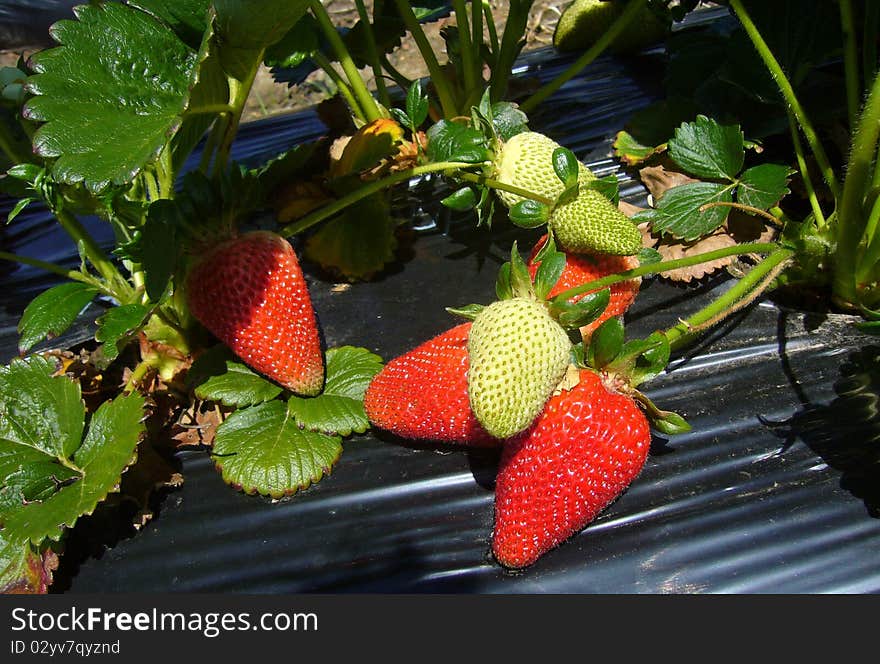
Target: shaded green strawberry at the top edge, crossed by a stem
{"points": [[584, 21]]}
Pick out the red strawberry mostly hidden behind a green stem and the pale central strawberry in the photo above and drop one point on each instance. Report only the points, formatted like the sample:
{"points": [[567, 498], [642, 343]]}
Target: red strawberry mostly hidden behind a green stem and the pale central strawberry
{"points": [[582, 268]]}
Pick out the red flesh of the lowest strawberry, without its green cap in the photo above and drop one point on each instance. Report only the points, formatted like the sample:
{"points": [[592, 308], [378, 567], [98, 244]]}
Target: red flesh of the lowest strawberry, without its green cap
{"points": [[580, 454]]}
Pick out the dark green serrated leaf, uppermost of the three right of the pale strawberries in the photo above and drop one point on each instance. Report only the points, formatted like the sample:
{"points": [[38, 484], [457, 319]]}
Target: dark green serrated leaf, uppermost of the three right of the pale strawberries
{"points": [[707, 149]]}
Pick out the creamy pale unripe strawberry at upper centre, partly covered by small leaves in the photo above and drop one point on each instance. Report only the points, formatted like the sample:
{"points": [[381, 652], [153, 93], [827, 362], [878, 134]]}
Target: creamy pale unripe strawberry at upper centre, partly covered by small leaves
{"points": [[525, 161]]}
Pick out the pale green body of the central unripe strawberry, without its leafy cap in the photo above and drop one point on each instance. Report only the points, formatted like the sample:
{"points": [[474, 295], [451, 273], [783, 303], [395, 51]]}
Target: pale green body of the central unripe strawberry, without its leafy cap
{"points": [[518, 355]]}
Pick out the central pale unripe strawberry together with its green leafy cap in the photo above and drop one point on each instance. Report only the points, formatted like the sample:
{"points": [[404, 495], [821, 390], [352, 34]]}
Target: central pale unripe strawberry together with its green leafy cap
{"points": [[518, 347]]}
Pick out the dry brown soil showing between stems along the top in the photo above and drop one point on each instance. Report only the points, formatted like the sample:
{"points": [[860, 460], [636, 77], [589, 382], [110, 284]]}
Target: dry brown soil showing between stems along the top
{"points": [[269, 97]]}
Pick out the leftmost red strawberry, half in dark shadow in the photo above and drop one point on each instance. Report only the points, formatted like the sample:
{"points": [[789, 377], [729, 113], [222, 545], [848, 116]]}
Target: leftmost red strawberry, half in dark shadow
{"points": [[250, 293]]}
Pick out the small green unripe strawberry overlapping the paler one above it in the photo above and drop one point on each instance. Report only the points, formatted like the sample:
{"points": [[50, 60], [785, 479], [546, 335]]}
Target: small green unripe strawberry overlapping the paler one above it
{"points": [[592, 223]]}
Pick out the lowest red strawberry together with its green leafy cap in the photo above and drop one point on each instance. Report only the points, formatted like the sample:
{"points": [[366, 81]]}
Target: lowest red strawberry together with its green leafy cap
{"points": [[589, 443]]}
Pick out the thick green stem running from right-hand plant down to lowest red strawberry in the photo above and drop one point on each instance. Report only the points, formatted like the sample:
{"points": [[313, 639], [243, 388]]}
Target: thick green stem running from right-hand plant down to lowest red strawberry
{"points": [[740, 295]]}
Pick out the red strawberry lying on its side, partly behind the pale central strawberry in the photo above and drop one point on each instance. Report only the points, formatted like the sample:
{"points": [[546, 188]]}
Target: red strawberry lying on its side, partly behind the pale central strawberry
{"points": [[423, 394]]}
